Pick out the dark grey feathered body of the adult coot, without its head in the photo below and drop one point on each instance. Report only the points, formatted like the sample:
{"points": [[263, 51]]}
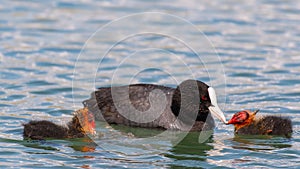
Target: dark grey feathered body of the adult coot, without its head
{"points": [[102, 103]]}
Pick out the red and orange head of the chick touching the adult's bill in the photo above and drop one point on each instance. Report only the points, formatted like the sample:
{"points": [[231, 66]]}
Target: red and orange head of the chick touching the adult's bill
{"points": [[242, 118]]}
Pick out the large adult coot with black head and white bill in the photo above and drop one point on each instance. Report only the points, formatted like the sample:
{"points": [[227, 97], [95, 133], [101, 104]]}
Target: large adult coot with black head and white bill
{"points": [[184, 108]]}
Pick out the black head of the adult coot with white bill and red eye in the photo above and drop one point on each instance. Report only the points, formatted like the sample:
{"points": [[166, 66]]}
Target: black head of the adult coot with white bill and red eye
{"points": [[195, 96]]}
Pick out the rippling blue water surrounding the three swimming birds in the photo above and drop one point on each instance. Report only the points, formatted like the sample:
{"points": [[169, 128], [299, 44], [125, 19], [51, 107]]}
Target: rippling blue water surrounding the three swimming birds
{"points": [[53, 54]]}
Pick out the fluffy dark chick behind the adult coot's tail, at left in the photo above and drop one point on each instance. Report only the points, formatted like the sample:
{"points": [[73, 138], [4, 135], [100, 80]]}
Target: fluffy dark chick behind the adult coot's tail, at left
{"points": [[81, 125]]}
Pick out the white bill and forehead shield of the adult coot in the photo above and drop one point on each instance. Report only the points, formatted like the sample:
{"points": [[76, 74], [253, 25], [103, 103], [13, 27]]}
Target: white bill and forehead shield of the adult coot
{"points": [[214, 108]]}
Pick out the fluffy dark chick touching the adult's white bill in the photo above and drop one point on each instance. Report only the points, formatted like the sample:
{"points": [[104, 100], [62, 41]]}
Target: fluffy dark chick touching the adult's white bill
{"points": [[247, 123]]}
